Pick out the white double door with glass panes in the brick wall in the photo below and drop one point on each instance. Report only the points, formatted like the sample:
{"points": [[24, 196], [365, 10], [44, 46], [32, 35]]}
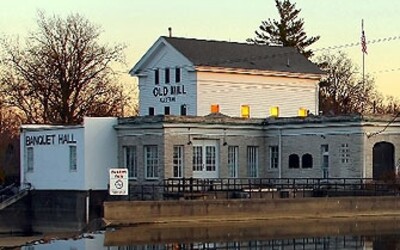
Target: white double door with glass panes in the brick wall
{"points": [[205, 159]]}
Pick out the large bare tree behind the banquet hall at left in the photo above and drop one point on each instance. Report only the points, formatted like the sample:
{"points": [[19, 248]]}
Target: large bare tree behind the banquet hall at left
{"points": [[62, 73]]}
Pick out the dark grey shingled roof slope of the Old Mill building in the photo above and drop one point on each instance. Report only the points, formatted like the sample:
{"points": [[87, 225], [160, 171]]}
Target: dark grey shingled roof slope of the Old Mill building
{"points": [[242, 55]]}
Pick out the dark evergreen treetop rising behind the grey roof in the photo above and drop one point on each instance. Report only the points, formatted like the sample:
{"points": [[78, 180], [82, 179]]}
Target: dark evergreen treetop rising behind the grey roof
{"points": [[288, 31]]}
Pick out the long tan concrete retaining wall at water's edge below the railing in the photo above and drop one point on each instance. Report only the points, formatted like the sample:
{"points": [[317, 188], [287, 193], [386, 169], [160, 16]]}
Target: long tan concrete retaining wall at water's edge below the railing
{"points": [[131, 212]]}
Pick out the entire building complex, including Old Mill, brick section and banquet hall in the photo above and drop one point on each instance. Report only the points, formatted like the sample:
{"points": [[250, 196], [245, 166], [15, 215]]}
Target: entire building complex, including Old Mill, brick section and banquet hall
{"points": [[194, 124]]}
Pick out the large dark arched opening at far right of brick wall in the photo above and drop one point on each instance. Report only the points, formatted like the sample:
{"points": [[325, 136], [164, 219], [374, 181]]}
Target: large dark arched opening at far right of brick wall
{"points": [[383, 160]]}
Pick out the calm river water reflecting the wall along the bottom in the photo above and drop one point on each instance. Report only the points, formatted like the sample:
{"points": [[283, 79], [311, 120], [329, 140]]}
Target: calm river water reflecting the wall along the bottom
{"points": [[339, 233]]}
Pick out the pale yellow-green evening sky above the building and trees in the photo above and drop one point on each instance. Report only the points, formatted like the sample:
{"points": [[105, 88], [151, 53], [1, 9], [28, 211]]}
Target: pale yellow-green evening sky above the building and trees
{"points": [[138, 24]]}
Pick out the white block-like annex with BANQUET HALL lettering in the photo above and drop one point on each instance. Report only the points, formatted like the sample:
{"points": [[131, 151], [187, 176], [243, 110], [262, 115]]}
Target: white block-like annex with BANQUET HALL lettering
{"points": [[69, 157]]}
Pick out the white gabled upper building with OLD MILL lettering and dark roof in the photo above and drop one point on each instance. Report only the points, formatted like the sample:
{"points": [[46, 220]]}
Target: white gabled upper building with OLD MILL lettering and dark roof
{"points": [[180, 76]]}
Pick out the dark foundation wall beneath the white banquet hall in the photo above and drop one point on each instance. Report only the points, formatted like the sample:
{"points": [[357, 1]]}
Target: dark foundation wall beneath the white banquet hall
{"points": [[52, 211]]}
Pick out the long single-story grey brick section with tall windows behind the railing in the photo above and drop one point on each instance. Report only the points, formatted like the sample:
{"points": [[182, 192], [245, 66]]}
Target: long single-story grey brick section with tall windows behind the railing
{"points": [[217, 146]]}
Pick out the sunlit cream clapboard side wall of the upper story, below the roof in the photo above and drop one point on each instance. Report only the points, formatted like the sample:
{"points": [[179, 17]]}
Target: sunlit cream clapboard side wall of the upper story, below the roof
{"points": [[231, 91]]}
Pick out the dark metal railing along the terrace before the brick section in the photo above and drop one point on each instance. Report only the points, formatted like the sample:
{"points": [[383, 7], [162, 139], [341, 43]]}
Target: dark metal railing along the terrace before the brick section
{"points": [[234, 188]]}
